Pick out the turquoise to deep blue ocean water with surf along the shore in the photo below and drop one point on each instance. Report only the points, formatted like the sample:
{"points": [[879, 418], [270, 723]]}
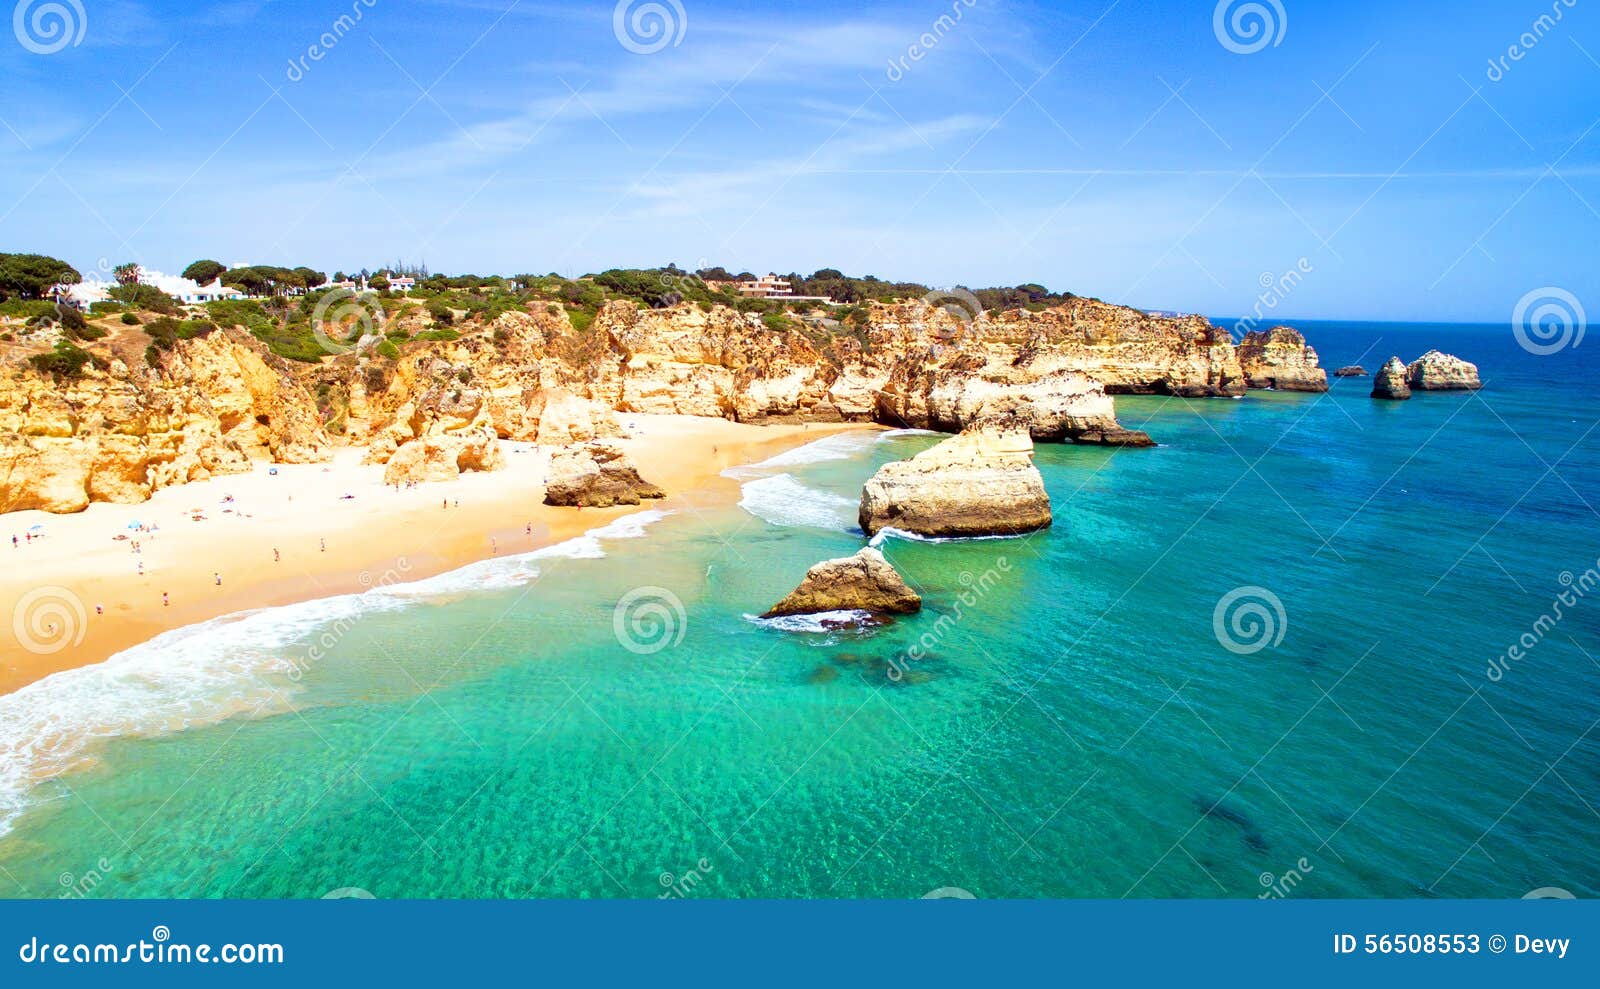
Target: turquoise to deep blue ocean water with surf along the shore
{"points": [[1266, 659]]}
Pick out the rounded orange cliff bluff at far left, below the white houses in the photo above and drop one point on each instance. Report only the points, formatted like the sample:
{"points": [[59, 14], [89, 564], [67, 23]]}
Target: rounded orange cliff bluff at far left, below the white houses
{"points": [[127, 428]]}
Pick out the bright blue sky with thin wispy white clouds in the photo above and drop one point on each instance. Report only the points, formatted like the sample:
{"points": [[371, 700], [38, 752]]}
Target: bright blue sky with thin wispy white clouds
{"points": [[1111, 150]]}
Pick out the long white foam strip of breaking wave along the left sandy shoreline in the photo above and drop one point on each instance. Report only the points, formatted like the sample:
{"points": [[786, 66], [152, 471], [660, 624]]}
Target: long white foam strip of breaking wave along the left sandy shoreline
{"points": [[238, 665]]}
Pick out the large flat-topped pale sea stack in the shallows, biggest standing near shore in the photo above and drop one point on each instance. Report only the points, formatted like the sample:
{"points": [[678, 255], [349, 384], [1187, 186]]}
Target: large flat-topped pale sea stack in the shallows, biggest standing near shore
{"points": [[982, 482]]}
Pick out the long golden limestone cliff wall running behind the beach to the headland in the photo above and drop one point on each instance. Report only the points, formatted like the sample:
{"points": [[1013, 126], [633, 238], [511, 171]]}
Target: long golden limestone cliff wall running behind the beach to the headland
{"points": [[215, 404]]}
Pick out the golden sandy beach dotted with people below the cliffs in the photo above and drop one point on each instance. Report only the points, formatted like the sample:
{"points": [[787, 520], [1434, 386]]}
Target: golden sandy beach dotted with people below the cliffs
{"points": [[327, 543]]}
